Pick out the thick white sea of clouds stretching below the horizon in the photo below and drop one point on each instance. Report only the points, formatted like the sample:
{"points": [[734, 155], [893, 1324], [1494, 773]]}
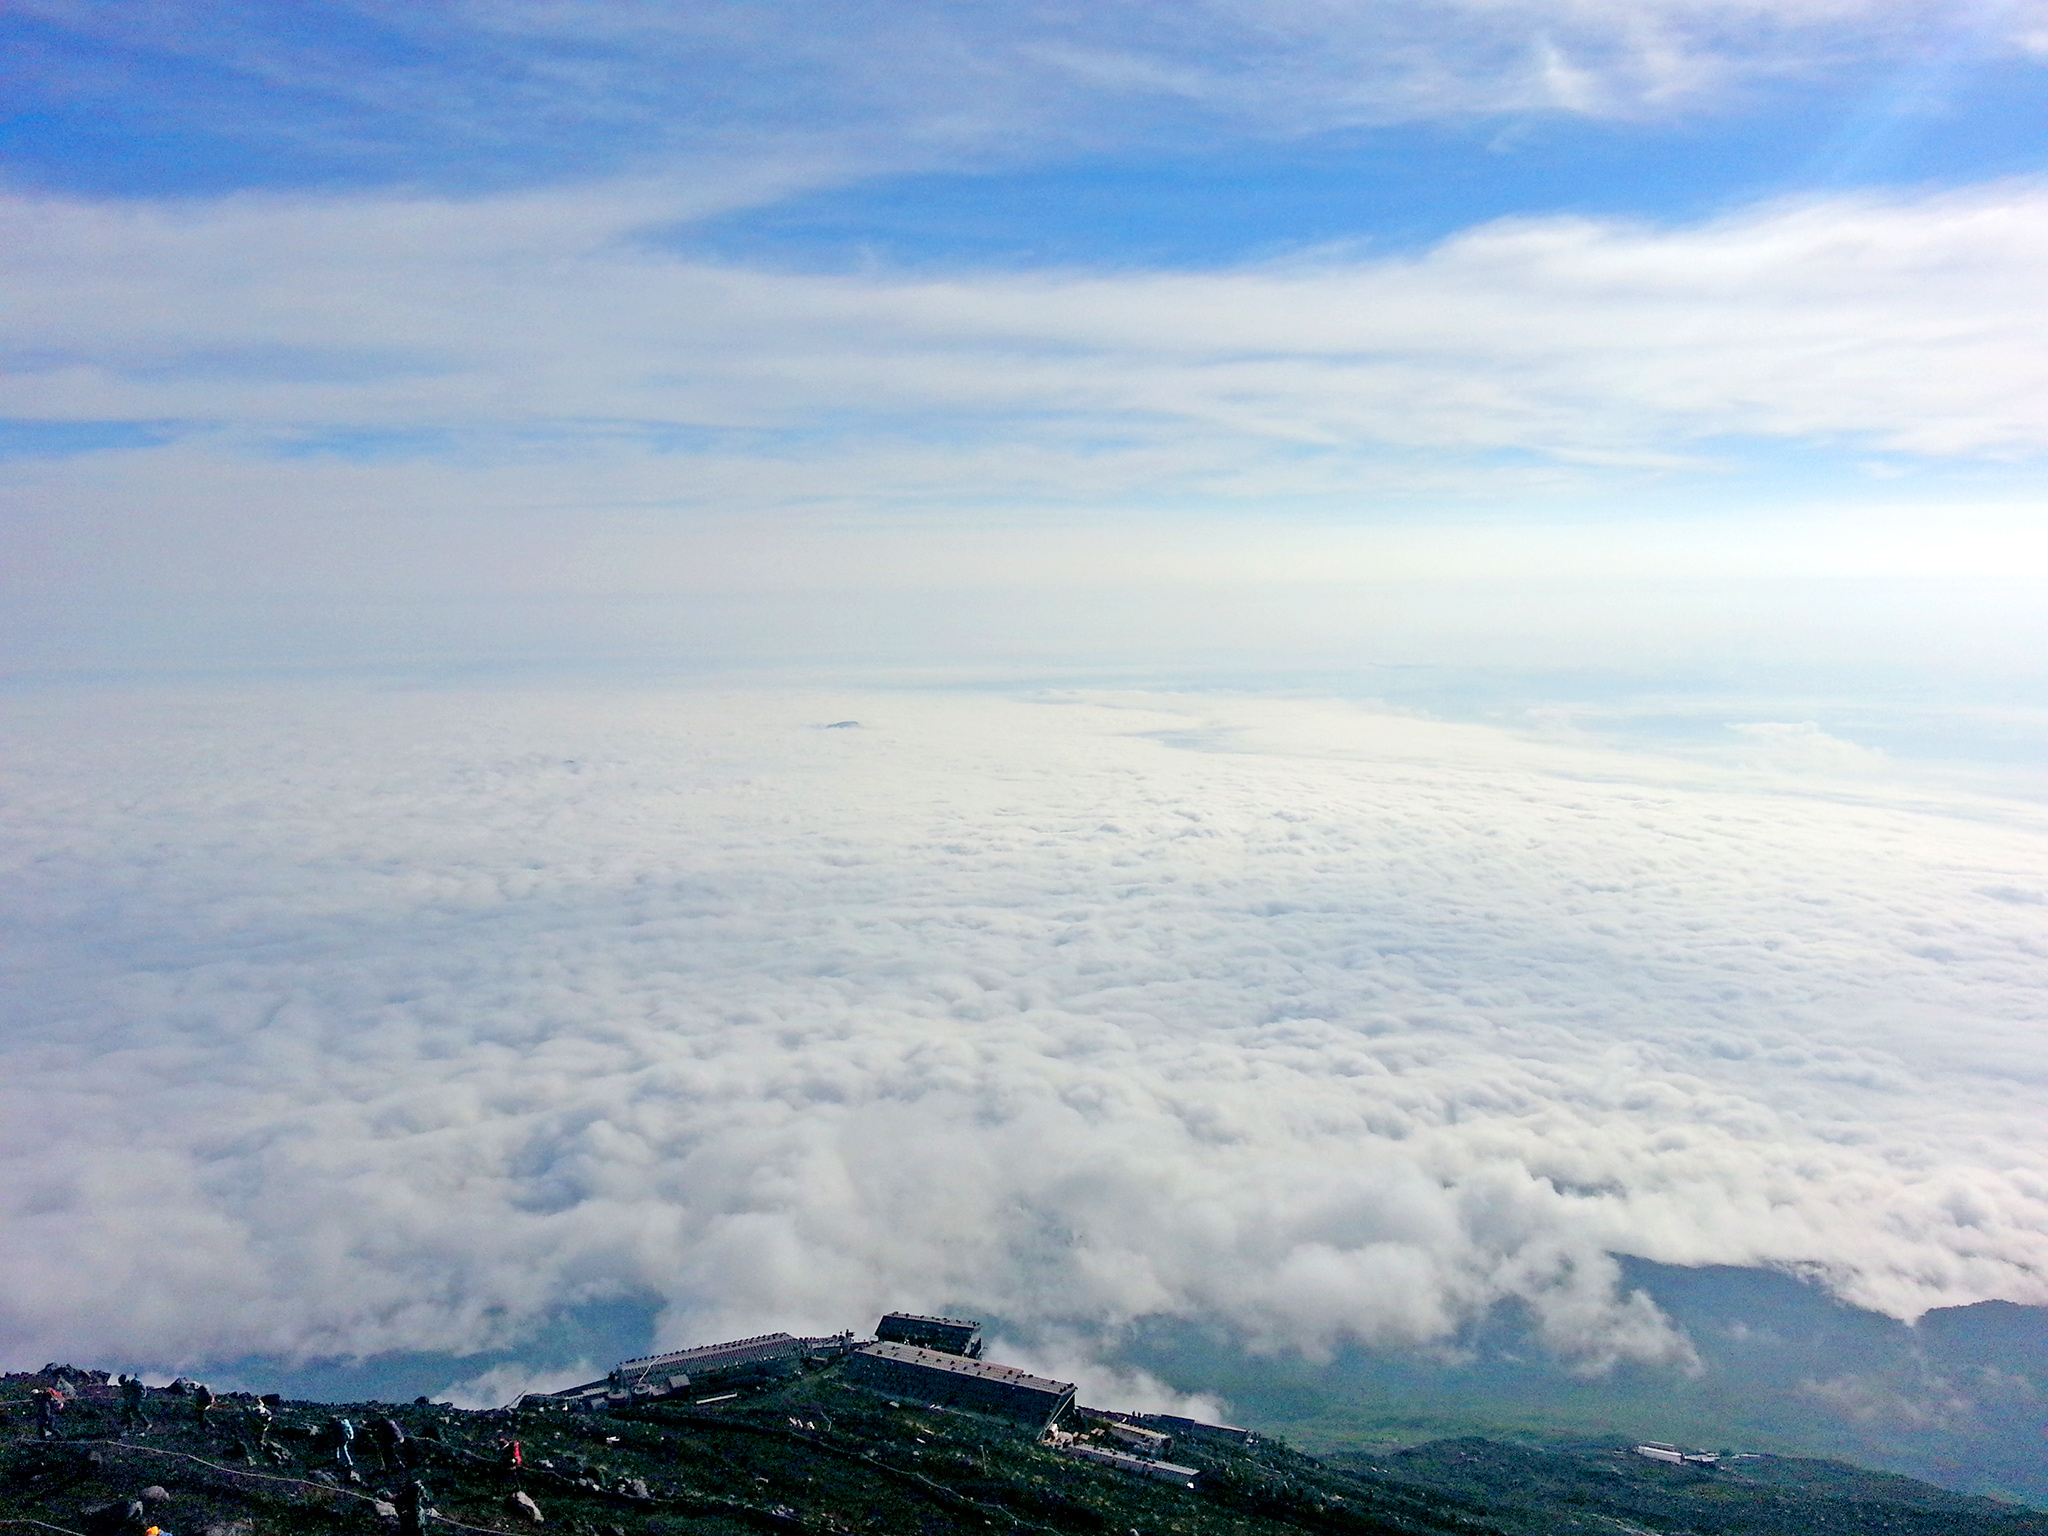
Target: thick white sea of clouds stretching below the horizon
{"points": [[353, 1021]]}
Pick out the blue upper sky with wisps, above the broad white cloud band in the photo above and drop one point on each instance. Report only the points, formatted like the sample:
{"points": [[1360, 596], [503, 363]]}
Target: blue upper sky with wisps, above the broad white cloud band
{"points": [[1678, 110]]}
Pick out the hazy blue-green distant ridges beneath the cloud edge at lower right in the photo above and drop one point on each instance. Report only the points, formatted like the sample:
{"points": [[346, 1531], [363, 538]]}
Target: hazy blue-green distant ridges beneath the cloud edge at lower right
{"points": [[1957, 1400]]}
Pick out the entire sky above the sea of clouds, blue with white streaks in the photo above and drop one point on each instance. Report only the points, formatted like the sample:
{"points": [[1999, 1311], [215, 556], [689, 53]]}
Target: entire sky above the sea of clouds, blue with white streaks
{"points": [[646, 298]]}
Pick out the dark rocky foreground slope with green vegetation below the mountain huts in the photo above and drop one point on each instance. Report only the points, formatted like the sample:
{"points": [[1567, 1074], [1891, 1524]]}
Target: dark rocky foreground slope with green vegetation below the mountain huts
{"points": [[818, 1455]]}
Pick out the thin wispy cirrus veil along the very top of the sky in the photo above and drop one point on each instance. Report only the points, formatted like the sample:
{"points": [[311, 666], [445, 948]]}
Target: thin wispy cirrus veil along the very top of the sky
{"points": [[925, 81]]}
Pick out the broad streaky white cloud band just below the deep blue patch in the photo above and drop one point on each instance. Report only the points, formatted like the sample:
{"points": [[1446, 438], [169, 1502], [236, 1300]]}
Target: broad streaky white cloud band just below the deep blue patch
{"points": [[1895, 323]]}
